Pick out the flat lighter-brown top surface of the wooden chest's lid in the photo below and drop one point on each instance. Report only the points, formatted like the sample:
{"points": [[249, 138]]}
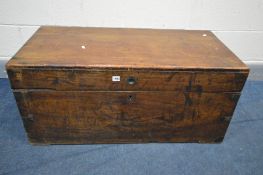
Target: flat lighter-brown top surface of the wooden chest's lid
{"points": [[125, 48]]}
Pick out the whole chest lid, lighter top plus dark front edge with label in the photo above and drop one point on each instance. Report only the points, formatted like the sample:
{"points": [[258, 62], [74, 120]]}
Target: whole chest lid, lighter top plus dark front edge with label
{"points": [[77, 58]]}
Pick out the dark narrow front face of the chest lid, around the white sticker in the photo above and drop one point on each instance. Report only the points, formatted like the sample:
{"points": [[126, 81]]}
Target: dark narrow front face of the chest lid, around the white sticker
{"points": [[74, 79]]}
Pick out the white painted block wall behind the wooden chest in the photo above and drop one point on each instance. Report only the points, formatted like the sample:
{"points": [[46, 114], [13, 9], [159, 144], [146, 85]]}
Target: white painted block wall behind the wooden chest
{"points": [[238, 23]]}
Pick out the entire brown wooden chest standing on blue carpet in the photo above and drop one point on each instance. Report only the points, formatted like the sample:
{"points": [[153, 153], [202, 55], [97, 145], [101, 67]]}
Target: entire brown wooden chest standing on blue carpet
{"points": [[78, 85]]}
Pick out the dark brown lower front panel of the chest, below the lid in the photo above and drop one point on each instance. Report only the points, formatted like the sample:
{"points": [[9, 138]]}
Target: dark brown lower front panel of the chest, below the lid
{"points": [[121, 116]]}
